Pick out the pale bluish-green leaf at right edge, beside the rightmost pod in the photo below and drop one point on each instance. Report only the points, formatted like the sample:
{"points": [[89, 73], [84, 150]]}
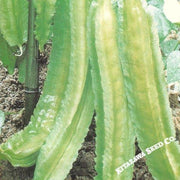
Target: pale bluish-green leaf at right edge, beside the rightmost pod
{"points": [[173, 67]]}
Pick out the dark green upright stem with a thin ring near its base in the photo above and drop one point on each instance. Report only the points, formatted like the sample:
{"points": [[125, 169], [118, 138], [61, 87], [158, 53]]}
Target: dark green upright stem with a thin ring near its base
{"points": [[32, 73]]}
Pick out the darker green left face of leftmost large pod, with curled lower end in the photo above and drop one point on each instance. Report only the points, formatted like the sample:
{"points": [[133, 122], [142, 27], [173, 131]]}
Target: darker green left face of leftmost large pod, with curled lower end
{"points": [[22, 148]]}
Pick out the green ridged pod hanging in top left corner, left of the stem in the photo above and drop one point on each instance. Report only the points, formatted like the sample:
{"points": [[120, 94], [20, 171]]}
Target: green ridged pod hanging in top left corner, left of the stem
{"points": [[13, 21]]}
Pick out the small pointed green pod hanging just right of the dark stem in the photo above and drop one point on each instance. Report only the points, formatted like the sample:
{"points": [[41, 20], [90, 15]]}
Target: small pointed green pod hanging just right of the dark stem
{"points": [[45, 12]]}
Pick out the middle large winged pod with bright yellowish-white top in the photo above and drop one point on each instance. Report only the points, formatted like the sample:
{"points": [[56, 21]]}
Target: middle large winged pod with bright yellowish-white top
{"points": [[115, 135]]}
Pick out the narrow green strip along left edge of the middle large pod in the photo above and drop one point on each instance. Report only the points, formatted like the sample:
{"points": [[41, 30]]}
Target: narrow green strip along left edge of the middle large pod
{"points": [[97, 90]]}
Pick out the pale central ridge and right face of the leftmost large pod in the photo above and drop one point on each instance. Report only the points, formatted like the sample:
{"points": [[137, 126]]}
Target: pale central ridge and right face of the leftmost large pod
{"points": [[60, 141]]}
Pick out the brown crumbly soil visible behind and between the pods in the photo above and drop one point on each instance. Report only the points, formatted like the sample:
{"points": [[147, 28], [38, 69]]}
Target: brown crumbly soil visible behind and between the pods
{"points": [[12, 103]]}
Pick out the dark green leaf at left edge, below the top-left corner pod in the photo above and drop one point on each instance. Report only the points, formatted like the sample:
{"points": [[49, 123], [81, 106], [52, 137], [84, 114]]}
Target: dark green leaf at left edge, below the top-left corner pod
{"points": [[6, 55]]}
